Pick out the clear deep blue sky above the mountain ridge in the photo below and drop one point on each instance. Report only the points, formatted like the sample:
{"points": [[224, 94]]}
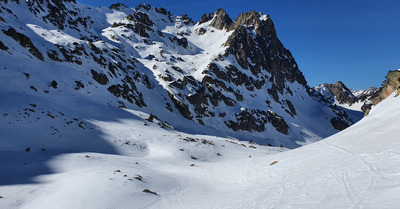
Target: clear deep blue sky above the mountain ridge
{"points": [[356, 41]]}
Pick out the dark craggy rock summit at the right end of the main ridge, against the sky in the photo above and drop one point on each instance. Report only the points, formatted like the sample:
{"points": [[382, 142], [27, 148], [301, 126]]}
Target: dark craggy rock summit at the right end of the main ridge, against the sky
{"points": [[262, 51]]}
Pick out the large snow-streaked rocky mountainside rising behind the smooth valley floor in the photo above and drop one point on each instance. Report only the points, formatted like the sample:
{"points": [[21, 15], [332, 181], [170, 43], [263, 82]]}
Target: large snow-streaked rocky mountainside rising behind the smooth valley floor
{"points": [[222, 76]]}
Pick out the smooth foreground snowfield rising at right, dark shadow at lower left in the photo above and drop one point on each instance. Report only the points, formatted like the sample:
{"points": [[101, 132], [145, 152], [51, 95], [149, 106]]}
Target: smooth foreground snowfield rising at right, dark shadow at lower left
{"points": [[162, 168]]}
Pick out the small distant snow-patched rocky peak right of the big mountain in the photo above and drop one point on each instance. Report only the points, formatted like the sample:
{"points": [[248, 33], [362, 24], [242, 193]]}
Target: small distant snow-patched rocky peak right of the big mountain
{"points": [[339, 94]]}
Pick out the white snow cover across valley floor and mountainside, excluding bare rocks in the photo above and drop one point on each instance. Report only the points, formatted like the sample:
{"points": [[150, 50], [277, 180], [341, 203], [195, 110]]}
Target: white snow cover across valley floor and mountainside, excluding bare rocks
{"points": [[85, 152]]}
